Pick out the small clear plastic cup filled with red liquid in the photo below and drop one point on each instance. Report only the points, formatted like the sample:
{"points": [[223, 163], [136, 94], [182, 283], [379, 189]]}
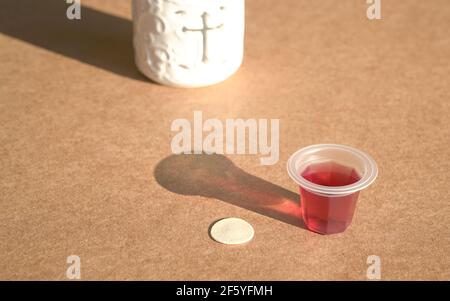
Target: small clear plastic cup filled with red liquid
{"points": [[330, 177]]}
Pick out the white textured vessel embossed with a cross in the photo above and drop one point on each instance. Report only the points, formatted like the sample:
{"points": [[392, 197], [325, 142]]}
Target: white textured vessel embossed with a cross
{"points": [[188, 43]]}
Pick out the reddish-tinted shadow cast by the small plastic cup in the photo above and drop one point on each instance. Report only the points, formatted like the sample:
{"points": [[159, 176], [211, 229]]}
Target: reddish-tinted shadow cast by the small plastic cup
{"points": [[215, 176]]}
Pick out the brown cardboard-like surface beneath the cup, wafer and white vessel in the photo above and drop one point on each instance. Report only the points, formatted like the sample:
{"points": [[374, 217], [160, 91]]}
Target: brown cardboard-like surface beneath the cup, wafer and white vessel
{"points": [[86, 165]]}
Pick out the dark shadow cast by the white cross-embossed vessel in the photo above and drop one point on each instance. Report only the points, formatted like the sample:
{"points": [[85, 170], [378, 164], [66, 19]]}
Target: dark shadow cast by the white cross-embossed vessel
{"points": [[99, 39]]}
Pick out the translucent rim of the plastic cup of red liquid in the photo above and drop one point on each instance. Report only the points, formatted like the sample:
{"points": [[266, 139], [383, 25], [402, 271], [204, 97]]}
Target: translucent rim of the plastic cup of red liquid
{"points": [[369, 175]]}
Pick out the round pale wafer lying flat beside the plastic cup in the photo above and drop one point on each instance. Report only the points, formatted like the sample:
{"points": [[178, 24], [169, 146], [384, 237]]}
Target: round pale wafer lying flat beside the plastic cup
{"points": [[232, 231]]}
